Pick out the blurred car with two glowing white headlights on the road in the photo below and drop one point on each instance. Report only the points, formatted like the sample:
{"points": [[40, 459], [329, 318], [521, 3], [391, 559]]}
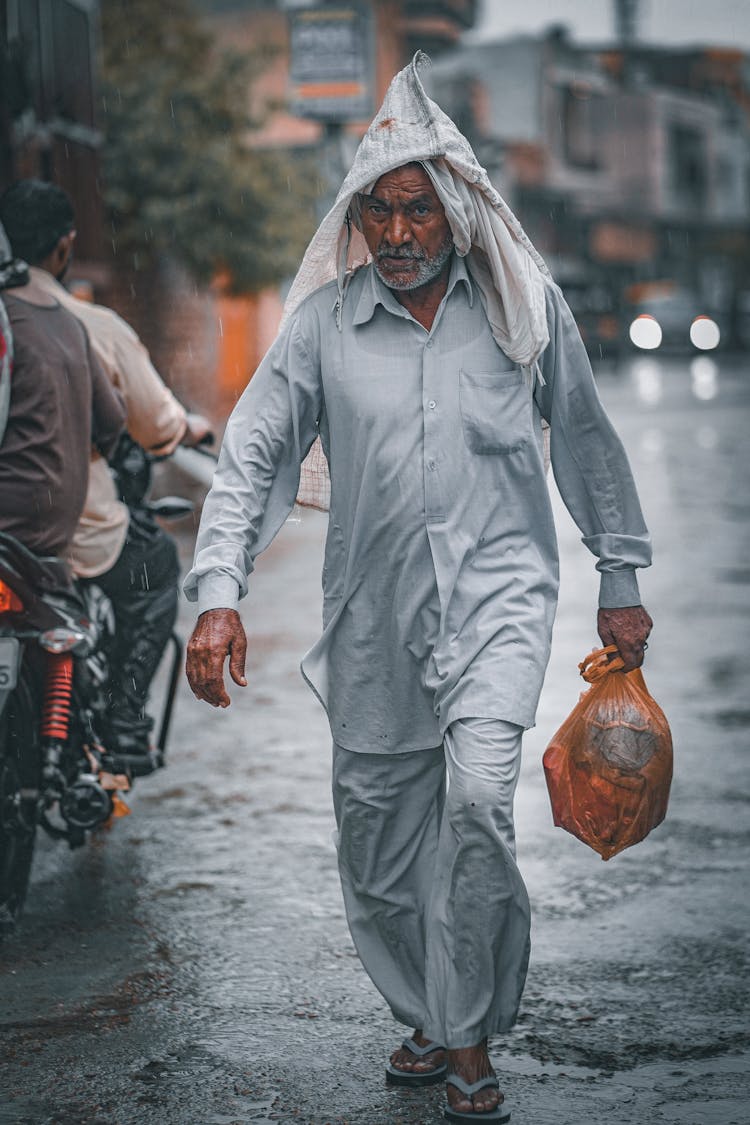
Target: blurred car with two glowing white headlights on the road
{"points": [[663, 314]]}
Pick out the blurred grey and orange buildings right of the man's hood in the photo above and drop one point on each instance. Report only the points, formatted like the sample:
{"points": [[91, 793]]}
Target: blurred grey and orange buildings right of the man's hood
{"points": [[627, 166]]}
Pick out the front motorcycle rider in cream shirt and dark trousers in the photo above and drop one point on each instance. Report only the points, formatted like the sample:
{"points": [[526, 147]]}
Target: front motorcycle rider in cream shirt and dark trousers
{"points": [[132, 560]]}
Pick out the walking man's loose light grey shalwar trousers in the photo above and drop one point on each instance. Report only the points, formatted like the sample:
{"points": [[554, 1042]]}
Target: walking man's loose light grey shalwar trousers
{"points": [[436, 904]]}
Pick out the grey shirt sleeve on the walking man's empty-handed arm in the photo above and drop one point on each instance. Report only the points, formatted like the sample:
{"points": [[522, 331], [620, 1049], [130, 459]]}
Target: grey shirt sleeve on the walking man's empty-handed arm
{"points": [[255, 488]]}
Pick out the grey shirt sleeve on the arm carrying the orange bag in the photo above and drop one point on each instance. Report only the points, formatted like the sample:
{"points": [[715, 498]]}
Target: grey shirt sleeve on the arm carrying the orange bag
{"points": [[590, 463]]}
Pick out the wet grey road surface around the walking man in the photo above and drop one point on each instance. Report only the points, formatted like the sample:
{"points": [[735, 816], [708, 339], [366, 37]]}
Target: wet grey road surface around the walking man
{"points": [[194, 965]]}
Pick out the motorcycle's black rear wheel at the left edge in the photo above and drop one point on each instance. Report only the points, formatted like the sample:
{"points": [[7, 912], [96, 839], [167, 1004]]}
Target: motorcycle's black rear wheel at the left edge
{"points": [[21, 770]]}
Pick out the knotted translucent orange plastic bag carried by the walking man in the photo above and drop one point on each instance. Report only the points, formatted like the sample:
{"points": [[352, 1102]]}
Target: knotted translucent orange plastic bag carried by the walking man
{"points": [[610, 766]]}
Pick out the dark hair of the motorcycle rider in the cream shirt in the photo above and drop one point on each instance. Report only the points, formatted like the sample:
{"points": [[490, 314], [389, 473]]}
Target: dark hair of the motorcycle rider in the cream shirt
{"points": [[35, 215]]}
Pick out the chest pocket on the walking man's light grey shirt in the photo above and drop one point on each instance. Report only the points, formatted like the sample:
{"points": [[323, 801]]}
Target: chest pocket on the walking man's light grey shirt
{"points": [[495, 411]]}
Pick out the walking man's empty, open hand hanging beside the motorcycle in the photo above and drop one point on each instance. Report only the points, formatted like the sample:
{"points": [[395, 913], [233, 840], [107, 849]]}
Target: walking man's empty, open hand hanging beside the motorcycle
{"points": [[219, 634]]}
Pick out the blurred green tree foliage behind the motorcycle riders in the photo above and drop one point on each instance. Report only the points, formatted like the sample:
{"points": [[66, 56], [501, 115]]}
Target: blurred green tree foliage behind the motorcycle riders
{"points": [[182, 176]]}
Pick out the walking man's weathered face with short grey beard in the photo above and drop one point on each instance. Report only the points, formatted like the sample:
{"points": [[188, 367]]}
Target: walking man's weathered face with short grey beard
{"points": [[405, 228]]}
